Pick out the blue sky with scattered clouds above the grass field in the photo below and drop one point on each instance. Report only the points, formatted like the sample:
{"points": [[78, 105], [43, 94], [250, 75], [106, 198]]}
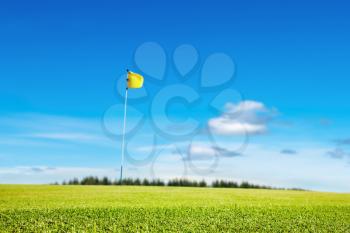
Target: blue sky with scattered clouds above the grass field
{"points": [[60, 64]]}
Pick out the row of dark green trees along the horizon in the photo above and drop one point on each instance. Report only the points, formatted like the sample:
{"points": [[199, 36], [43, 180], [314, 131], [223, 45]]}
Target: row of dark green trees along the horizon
{"points": [[92, 180]]}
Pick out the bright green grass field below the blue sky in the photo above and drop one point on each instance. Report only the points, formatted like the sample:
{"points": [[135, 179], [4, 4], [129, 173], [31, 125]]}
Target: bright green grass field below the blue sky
{"points": [[138, 209]]}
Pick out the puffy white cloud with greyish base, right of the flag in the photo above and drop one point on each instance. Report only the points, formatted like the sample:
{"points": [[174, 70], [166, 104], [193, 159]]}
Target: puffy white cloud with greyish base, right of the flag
{"points": [[246, 117]]}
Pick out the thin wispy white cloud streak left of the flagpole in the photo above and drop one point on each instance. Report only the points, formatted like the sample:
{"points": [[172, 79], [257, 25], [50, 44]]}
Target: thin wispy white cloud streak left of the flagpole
{"points": [[37, 129]]}
